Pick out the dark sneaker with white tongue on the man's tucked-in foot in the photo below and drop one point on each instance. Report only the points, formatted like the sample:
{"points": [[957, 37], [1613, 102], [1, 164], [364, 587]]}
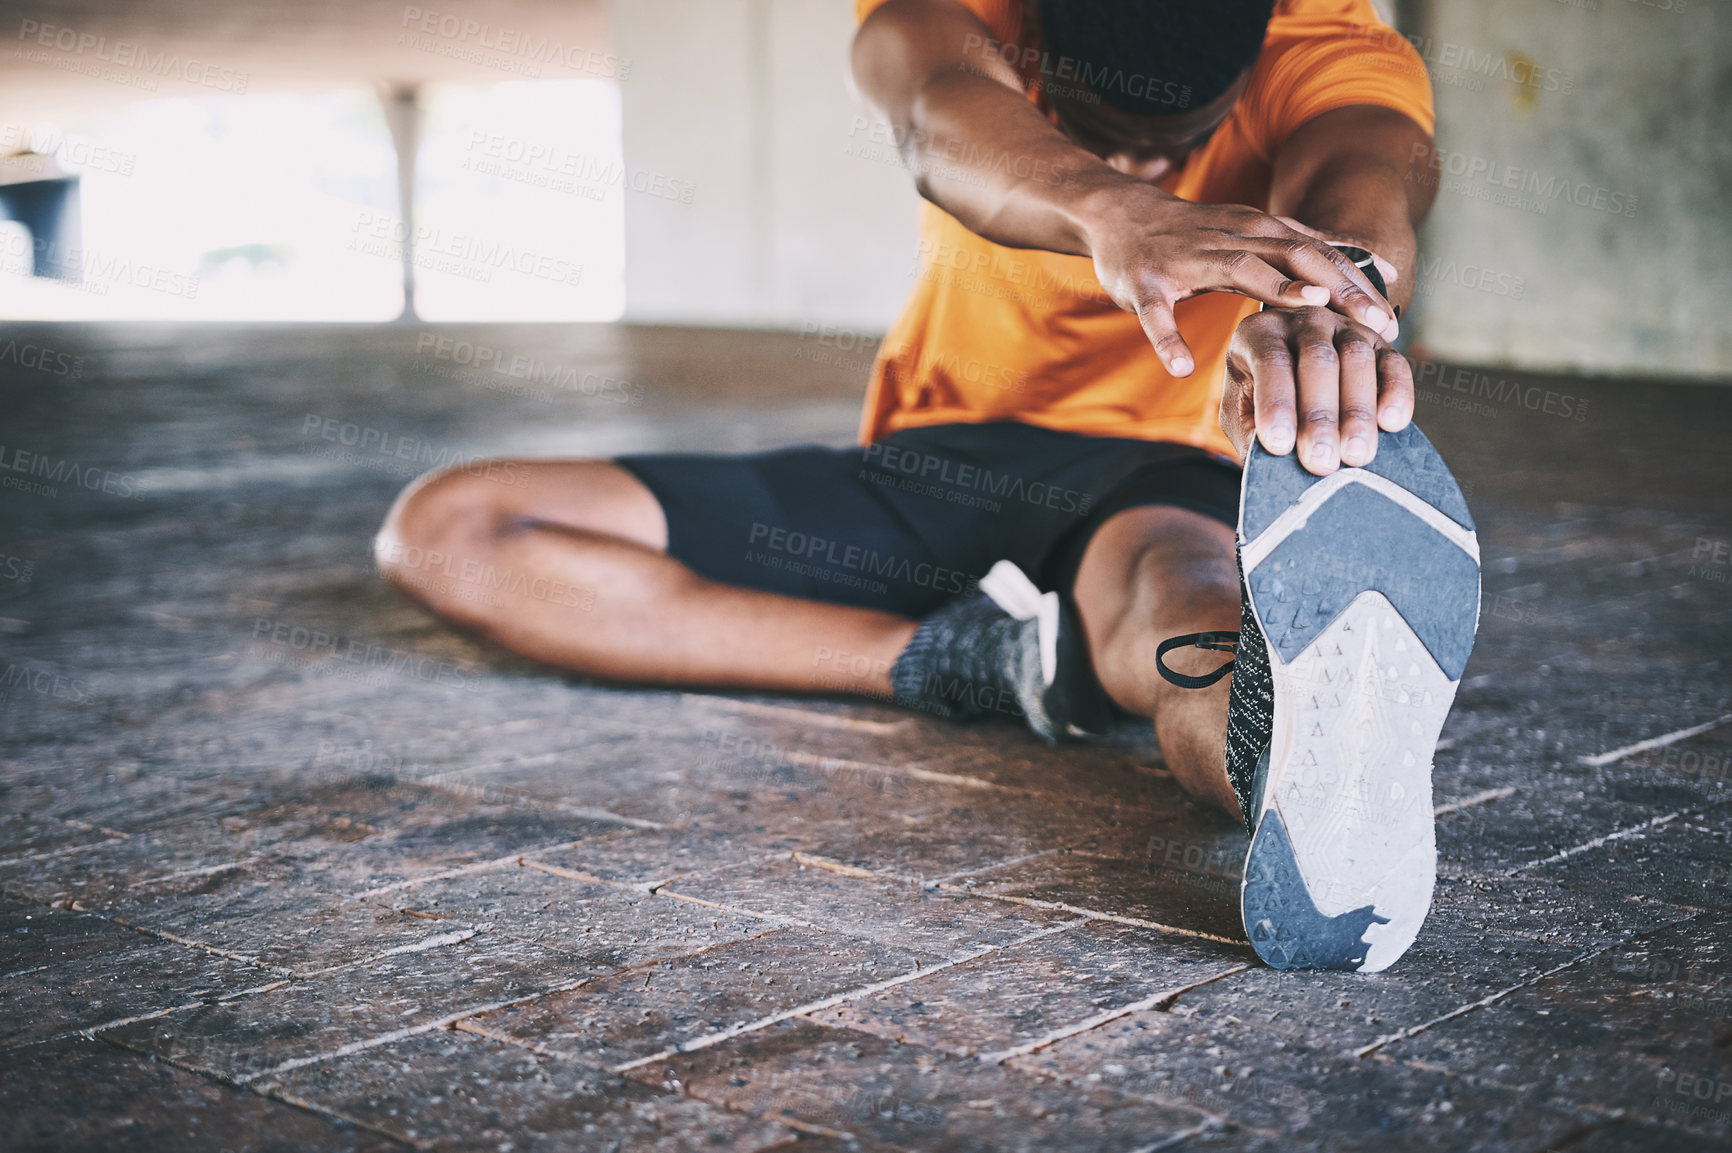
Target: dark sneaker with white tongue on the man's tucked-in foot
{"points": [[1009, 650]]}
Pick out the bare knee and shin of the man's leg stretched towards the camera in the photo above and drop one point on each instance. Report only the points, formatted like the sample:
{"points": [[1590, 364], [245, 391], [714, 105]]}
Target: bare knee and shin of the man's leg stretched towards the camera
{"points": [[1151, 574]]}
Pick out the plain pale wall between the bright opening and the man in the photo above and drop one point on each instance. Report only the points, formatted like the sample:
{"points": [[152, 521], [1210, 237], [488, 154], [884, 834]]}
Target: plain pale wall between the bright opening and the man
{"points": [[789, 222]]}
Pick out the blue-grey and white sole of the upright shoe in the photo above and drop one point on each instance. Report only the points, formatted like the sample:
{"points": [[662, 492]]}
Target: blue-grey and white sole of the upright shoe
{"points": [[1367, 589]]}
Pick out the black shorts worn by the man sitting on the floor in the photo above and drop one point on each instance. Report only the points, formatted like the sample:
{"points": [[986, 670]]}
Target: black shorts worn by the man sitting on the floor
{"points": [[919, 519]]}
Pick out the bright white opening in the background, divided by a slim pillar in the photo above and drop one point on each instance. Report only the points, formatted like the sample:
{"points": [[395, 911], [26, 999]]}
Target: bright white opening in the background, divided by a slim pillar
{"points": [[285, 209]]}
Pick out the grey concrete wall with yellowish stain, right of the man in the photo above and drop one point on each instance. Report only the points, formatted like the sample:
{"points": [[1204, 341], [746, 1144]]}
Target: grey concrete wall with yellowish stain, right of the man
{"points": [[1584, 222]]}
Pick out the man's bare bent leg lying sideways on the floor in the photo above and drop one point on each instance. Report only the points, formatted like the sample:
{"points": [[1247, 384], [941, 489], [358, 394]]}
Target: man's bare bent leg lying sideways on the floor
{"points": [[571, 569]]}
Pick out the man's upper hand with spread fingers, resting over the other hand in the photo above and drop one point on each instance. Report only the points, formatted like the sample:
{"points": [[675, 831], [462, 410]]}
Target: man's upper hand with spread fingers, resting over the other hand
{"points": [[1154, 250]]}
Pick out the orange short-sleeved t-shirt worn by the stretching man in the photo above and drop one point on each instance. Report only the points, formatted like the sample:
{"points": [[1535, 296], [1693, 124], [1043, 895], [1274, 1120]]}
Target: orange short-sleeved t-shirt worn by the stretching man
{"points": [[998, 333]]}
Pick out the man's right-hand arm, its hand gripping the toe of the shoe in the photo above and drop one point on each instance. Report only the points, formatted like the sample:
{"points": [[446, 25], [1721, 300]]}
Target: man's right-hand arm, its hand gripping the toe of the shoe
{"points": [[1305, 378]]}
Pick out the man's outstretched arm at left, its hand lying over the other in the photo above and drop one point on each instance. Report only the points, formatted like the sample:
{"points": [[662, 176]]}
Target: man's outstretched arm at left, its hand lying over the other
{"points": [[959, 110]]}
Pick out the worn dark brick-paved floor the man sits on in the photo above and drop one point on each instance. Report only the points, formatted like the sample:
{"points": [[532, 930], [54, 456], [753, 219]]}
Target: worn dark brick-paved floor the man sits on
{"points": [[285, 865]]}
